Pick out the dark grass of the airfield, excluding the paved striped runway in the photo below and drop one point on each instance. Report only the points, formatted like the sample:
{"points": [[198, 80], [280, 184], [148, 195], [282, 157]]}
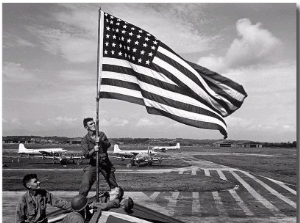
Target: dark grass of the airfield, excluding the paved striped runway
{"points": [[276, 163]]}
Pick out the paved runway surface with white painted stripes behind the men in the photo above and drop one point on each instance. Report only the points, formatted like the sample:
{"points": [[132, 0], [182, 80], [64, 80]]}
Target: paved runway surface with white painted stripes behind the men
{"points": [[254, 199]]}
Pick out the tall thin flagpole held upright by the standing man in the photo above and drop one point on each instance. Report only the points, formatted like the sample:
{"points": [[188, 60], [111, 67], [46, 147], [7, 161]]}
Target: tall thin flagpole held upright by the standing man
{"points": [[97, 106]]}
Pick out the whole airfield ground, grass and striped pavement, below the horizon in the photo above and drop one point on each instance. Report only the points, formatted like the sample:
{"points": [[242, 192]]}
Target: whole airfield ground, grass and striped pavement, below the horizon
{"points": [[194, 184]]}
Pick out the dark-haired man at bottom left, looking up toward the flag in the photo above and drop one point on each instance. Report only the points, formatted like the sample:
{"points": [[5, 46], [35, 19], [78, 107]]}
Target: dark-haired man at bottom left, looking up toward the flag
{"points": [[32, 205]]}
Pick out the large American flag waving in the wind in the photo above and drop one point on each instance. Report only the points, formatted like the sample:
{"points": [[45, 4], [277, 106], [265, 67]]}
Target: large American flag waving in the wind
{"points": [[136, 67]]}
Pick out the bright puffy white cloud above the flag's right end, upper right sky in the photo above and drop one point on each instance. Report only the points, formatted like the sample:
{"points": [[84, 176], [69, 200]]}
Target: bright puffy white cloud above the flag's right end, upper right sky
{"points": [[254, 46]]}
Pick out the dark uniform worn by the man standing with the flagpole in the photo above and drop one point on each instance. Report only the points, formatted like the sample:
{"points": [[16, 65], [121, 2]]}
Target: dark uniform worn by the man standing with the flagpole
{"points": [[105, 166]]}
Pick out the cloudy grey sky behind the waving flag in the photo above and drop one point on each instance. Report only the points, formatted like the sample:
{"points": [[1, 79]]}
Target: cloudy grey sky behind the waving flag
{"points": [[49, 67]]}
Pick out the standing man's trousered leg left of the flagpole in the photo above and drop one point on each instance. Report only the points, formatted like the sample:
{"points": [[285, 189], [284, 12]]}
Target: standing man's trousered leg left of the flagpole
{"points": [[88, 179]]}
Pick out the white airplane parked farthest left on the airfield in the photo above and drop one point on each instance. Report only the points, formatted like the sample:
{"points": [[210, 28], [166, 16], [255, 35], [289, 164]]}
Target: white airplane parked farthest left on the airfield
{"points": [[44, 152]]}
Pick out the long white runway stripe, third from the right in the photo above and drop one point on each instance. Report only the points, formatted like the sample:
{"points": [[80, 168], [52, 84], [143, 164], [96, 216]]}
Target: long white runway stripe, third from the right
{"points": [[274, 210]]}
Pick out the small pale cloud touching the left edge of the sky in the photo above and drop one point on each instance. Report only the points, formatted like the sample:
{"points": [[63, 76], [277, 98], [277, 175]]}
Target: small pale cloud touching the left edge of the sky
{"points": [[14, 72]]}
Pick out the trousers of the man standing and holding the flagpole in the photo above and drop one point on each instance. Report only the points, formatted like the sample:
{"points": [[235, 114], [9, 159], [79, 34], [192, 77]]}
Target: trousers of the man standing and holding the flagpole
{"points": [[90, 176]]}
